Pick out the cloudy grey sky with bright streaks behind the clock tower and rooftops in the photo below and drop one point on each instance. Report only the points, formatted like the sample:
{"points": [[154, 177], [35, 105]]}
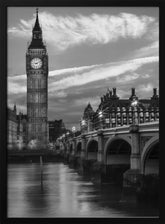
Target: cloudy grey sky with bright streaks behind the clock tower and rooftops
{"points": [[90, 50]]}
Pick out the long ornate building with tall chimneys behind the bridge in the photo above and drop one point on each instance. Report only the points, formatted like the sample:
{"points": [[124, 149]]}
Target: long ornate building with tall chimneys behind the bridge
{"points": [[113, 111]]}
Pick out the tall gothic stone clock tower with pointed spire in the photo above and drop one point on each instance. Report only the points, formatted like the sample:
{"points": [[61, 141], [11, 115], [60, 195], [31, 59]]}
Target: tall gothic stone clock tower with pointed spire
{"points": [[37, 87]]}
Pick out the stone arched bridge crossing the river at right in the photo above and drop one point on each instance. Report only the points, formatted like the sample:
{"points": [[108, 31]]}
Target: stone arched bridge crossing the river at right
{"points": [[127, 152]]}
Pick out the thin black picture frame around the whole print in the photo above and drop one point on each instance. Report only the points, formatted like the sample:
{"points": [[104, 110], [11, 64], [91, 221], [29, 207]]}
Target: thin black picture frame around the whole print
{"points": [[3, 100]]}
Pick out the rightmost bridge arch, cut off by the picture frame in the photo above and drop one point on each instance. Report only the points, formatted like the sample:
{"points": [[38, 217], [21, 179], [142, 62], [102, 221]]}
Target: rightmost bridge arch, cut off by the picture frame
{"points": [[150, 157]]}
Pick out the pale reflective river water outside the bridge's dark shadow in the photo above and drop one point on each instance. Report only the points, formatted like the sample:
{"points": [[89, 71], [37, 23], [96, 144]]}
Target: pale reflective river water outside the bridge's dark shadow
{"points": [[63, 193]]}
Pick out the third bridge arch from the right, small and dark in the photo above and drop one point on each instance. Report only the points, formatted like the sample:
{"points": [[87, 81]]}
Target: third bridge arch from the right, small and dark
{"points": [[92, 149]]}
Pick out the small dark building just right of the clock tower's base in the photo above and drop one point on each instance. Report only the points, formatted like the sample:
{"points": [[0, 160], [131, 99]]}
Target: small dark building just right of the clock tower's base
{"points": [[56, 129]]}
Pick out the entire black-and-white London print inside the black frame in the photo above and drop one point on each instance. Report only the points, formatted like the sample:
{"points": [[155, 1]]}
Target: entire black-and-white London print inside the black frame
{"points": [[82, 112]]}
